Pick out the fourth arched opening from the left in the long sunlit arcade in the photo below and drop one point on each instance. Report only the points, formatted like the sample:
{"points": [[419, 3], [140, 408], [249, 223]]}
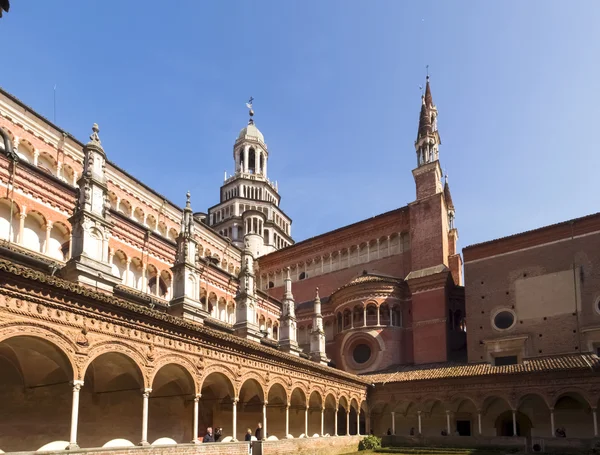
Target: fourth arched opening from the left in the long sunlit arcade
{"points": [[216, 405]]}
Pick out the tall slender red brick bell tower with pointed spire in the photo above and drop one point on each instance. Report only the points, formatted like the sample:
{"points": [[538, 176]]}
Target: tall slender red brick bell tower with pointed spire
{"points": [[434, 262]]}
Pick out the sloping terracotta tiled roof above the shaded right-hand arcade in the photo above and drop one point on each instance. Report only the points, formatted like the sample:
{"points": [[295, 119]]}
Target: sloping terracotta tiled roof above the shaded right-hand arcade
{"points": [[456, 370]]}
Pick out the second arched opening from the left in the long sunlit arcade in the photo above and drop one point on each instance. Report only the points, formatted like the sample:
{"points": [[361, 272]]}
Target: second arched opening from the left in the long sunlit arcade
{"points": [[111, 401]]}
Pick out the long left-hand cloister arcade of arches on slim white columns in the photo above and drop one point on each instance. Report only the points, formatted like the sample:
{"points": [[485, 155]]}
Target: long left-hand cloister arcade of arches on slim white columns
{"points": [[119, 399]]}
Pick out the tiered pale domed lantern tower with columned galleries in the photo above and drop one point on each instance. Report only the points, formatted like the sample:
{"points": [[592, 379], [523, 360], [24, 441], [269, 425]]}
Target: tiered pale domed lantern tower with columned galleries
{"points": [[249, 201]]}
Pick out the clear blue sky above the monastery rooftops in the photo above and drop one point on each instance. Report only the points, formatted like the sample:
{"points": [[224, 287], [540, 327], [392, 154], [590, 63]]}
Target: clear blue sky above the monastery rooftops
{"points": [[336, 88]]}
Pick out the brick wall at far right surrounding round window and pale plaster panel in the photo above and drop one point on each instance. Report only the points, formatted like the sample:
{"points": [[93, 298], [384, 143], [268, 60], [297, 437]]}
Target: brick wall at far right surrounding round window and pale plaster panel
{"points": [[490, 284]]}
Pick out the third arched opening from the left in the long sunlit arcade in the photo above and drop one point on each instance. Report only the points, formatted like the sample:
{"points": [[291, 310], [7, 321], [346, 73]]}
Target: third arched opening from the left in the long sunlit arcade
{"points": [[171, 404]]}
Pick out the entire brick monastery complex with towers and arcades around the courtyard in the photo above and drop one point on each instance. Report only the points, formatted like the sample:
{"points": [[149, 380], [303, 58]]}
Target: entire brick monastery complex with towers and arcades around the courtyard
{"points": [[127, 319]]}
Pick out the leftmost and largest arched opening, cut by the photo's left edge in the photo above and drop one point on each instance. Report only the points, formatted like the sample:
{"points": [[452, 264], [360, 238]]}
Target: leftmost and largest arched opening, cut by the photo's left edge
{"points": [[35, 393]]}
